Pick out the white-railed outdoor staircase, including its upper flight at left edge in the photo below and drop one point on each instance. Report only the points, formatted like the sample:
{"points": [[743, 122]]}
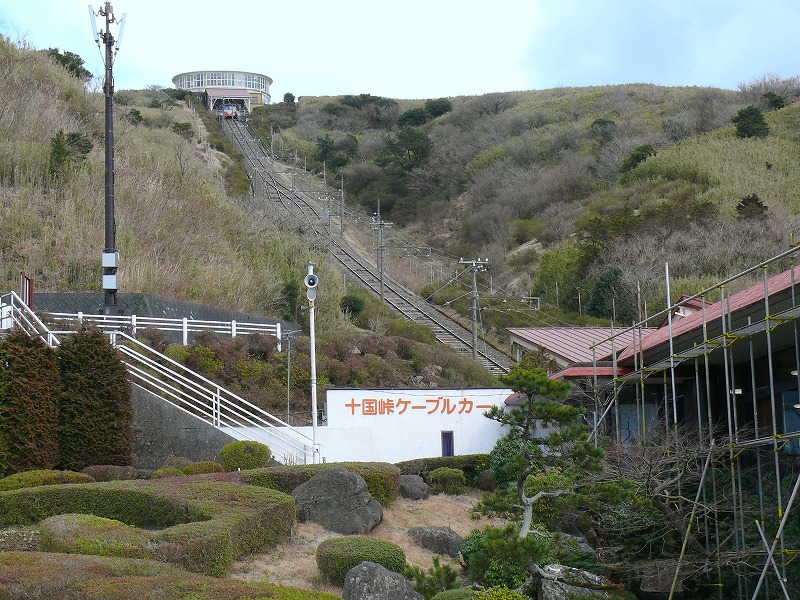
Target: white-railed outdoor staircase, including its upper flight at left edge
{"points": [[179, 386]]}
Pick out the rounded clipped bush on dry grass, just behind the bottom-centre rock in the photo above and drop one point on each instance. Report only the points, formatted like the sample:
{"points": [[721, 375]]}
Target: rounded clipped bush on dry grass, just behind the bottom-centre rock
{"points": [[336, 556]]}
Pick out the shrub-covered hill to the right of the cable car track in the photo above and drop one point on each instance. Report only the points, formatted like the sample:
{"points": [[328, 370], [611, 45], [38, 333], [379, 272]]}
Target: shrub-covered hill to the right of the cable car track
{"points": [[559, 188]]}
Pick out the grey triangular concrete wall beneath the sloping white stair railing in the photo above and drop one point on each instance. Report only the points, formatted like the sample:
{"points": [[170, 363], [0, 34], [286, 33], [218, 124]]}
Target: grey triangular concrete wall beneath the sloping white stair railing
{"points": [[161, 430]]}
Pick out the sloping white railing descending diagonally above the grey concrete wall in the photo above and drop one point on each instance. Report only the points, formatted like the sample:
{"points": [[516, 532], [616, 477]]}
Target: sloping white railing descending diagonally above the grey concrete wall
{"points": [[206, 400]]}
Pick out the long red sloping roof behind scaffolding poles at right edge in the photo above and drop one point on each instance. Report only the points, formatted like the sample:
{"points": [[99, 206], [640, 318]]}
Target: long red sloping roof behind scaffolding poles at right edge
{"points": [[743, 299]]}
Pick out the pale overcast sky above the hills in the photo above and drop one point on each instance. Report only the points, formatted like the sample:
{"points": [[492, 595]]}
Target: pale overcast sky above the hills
{"points": [[430, 48]]}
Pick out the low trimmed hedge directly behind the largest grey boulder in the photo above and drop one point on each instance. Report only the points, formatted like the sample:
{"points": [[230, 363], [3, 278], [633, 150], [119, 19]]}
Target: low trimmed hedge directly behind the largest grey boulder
{"points": [[383, 479]]}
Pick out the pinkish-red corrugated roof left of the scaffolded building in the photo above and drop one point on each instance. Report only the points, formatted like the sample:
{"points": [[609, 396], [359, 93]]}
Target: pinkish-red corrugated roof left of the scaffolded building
{"points": [[574, 344]]}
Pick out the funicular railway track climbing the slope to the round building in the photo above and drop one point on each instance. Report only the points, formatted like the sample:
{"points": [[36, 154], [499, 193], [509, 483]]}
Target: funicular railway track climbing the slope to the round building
{"points": [[301, 209]]}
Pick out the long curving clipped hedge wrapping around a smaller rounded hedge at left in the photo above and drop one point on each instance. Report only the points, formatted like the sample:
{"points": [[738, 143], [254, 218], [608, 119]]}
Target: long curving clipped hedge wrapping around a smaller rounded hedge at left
{"points": [[201, 525]]}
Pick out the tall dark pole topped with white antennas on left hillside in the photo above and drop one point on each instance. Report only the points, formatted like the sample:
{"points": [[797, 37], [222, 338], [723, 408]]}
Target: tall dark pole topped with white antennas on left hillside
{"points": [[110, 258]]}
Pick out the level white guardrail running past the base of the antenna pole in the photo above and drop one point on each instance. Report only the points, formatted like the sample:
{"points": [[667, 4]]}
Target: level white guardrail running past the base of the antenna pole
{"points": [[133, 324]]}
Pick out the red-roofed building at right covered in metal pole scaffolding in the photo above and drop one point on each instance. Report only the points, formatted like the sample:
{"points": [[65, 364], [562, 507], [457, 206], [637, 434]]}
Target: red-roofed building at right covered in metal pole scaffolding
{"points": [[729, 368]]}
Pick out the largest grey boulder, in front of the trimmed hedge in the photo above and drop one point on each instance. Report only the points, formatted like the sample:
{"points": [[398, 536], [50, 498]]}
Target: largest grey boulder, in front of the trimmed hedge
{"points": [[338, 500]]}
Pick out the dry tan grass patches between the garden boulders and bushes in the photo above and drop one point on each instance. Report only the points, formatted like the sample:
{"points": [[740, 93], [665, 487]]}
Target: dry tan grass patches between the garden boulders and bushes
{"points": [[294, 563]]}
